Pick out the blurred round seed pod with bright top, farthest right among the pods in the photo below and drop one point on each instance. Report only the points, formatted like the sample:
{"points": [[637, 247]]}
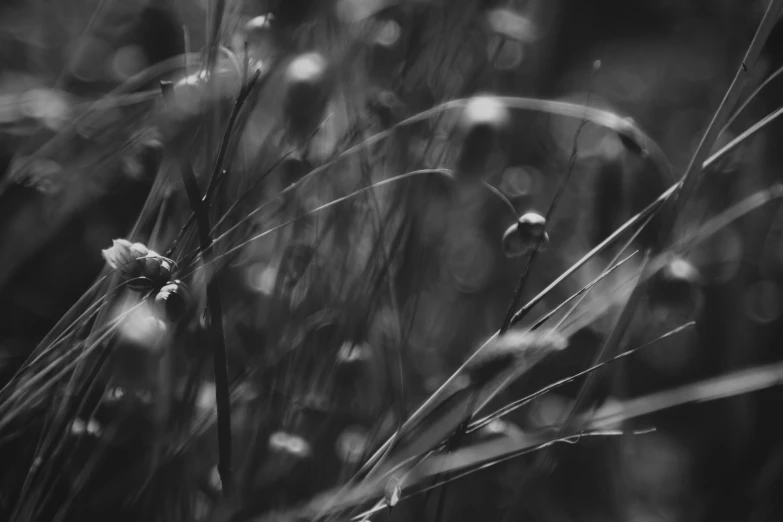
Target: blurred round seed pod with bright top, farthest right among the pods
{"points": [[676, 289]]}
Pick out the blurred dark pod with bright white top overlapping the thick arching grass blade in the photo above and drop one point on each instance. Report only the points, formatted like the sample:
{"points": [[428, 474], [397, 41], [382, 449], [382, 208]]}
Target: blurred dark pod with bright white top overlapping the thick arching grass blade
{"points": [[483, 122]]}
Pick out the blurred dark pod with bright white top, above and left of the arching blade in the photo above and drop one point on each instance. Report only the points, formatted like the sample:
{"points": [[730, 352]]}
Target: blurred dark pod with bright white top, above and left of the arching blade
{"points": [[307, 93]]}
